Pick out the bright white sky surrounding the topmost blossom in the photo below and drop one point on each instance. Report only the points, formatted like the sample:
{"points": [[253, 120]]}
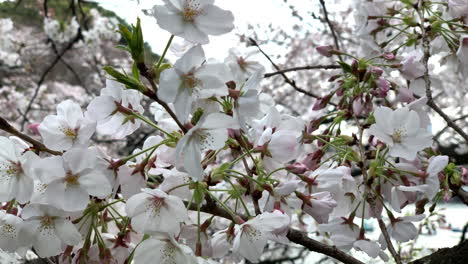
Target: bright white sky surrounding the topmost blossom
{"points": [[262, 12]]}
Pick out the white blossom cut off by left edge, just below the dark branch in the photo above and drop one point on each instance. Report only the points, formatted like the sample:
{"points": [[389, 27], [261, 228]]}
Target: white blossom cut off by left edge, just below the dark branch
{"points": [[16, 172]]}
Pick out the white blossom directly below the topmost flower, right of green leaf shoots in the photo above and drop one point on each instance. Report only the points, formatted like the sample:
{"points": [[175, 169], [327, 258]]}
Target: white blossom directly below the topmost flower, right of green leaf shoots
{"points": [[190, 79]]}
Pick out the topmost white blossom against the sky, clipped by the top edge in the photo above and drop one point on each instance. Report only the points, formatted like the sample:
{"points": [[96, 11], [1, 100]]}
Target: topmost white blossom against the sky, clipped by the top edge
{"points": [[193, 20]]}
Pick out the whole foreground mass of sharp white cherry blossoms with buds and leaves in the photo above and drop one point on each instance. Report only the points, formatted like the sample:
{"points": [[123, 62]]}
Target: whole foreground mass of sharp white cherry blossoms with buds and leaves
{"points": [[225, 173]]}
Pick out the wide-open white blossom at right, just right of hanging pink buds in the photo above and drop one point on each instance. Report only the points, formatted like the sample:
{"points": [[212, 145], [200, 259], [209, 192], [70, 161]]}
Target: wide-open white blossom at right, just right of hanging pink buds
{"points": [[401, 130]]}
